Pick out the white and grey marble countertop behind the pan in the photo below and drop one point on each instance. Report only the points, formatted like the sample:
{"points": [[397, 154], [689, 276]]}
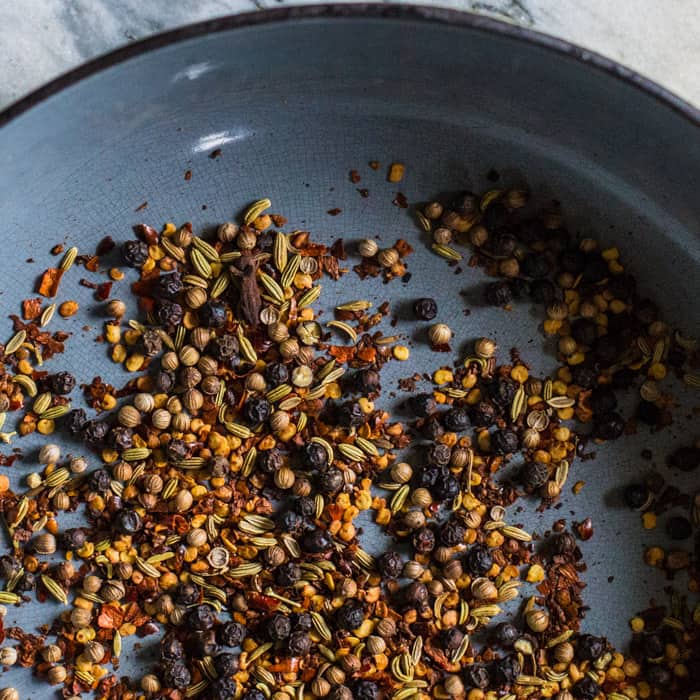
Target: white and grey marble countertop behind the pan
{"points": [[42, 38]]}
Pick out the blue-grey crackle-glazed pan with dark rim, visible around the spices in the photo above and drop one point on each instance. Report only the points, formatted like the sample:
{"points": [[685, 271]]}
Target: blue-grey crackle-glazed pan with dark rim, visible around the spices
{"points": [[295, 98]]}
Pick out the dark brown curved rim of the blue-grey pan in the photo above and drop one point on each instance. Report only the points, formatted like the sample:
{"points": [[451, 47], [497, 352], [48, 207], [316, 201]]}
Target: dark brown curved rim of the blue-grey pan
{"points": [[355, 11]]}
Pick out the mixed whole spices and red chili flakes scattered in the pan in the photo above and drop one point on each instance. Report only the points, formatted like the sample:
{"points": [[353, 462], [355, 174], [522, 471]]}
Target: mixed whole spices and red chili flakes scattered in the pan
{"points": [[228, 484]]}
